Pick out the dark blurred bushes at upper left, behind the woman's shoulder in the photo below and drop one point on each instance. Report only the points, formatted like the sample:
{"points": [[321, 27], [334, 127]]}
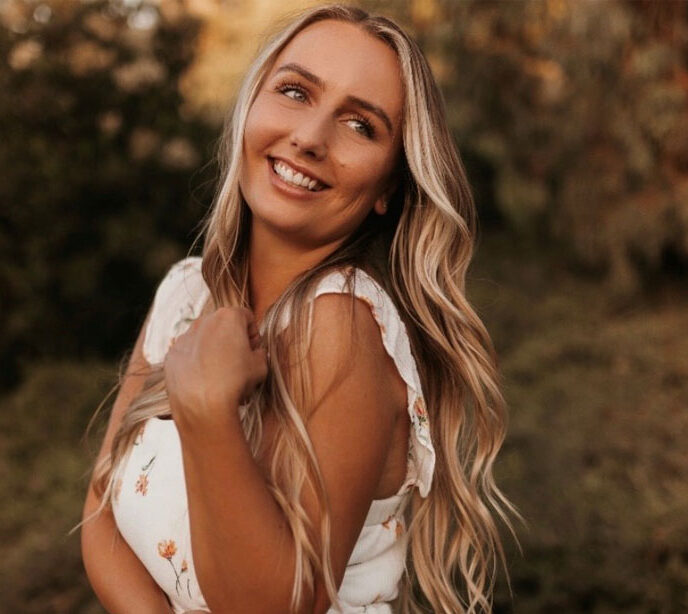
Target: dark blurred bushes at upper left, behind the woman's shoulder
{"points": [[97, 165]]}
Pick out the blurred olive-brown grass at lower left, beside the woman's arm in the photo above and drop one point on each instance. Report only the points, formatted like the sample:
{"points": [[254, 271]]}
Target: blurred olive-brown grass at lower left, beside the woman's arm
{"points": [[43, 474]]}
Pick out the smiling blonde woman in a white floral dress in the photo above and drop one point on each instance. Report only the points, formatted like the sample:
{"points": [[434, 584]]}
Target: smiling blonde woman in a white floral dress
{"points": [[311, 412]]}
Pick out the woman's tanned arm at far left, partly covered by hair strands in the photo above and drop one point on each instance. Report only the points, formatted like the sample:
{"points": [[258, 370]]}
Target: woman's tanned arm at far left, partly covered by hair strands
{"points": [[119, 579]]}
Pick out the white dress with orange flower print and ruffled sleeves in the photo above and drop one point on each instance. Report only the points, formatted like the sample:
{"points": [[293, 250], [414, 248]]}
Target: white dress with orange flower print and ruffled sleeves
{"points": [[150, 507]]}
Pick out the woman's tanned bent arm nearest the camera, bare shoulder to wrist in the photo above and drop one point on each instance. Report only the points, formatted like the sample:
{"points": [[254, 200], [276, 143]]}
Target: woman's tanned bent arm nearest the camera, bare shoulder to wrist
{"points": [[242, 546]]}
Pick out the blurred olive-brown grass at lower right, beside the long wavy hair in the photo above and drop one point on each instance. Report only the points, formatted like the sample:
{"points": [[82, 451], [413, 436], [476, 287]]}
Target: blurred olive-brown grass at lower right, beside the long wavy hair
{"points": [[593, 456]]}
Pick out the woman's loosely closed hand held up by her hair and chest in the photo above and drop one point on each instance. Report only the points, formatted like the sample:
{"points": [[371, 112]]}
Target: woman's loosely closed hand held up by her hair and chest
{"points": [[216, 364]]}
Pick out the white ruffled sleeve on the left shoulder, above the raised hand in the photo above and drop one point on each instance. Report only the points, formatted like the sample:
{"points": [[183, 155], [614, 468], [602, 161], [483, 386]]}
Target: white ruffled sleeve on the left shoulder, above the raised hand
{"points": [[179, 299]]}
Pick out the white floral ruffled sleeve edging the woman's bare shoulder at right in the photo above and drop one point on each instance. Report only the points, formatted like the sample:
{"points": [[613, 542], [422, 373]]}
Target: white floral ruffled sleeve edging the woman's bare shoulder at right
{"points": [[396, 342]]}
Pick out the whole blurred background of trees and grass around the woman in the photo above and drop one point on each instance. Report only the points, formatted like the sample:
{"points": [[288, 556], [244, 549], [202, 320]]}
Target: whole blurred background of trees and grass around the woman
{"points": [[572, 120]]}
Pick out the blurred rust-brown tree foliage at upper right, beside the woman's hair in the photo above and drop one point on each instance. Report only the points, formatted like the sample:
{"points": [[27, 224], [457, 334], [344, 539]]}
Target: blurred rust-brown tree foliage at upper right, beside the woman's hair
{"points": [[572, 117]]}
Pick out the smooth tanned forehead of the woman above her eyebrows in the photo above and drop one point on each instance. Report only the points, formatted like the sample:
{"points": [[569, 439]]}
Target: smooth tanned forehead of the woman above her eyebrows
{"points": [[350, 61]]}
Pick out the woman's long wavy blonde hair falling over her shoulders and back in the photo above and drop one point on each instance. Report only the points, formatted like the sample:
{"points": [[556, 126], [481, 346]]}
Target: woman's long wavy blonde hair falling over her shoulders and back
{"points": [[419, 252]]}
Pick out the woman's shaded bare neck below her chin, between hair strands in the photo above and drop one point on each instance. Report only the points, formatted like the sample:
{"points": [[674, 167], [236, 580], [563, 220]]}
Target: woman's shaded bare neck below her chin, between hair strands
{"points": [[274, 263]]}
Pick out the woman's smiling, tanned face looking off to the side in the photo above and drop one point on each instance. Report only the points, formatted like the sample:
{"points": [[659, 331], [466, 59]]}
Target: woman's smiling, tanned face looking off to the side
{"points": [[330, 108]]}
